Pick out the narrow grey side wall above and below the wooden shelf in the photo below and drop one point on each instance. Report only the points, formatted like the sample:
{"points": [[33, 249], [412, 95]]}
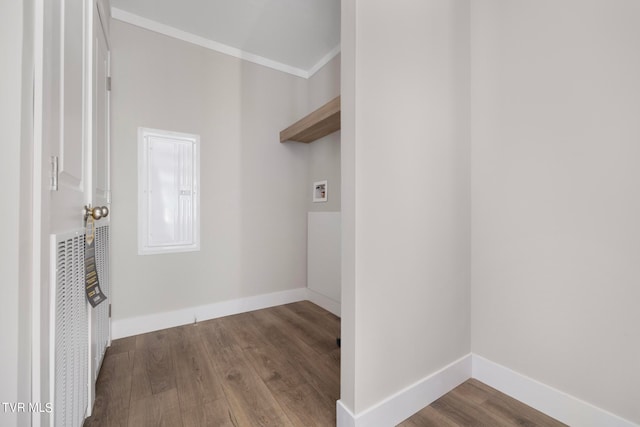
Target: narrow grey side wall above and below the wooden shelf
{"points": [[324, 153]]}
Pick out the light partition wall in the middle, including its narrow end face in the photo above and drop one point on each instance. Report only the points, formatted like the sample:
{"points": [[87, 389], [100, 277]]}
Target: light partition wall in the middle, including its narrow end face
{"points": [[405, 153]]}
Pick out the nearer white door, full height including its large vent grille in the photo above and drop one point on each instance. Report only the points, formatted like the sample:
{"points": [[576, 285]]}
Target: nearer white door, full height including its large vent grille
{"points": [[65, 143]]}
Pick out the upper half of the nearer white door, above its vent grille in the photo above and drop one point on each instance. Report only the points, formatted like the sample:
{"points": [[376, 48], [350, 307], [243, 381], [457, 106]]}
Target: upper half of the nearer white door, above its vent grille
{"points": [[64, 110]]}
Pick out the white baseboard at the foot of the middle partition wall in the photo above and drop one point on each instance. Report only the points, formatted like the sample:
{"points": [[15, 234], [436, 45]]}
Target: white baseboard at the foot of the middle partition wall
{"points": [[405, 403]]}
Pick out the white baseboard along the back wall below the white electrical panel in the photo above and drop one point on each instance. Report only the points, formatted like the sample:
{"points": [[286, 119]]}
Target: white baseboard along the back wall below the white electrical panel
{"points": [[155, 322]]}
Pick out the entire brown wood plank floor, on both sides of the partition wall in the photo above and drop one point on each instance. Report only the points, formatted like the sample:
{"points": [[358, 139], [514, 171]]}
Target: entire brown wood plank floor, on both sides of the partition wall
{"points": [[274, 367]]}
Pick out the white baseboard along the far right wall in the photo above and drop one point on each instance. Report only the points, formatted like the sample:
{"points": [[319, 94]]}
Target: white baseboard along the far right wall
{"points": [[555, 403]]}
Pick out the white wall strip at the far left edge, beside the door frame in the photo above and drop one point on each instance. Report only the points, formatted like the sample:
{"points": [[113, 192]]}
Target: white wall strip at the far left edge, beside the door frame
{"points": [[16, 106]]}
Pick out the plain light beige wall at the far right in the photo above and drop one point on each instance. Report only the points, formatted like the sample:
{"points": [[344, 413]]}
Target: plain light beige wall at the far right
{"points": [[556, 199]]}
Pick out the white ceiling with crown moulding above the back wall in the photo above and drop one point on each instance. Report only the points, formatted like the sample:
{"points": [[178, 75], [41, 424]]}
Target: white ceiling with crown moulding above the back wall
{"points": [[300, 35]]}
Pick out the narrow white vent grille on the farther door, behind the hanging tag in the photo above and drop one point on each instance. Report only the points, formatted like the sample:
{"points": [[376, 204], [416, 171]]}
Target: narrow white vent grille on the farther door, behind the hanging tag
{"points": [[101, 329]]}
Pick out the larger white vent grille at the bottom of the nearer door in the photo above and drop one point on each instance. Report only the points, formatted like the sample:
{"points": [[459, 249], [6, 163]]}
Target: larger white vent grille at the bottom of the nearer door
{"points": [[71, 333]]}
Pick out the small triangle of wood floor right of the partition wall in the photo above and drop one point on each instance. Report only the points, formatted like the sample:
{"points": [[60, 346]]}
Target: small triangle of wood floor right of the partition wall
{"points": [[476, 404]]}
